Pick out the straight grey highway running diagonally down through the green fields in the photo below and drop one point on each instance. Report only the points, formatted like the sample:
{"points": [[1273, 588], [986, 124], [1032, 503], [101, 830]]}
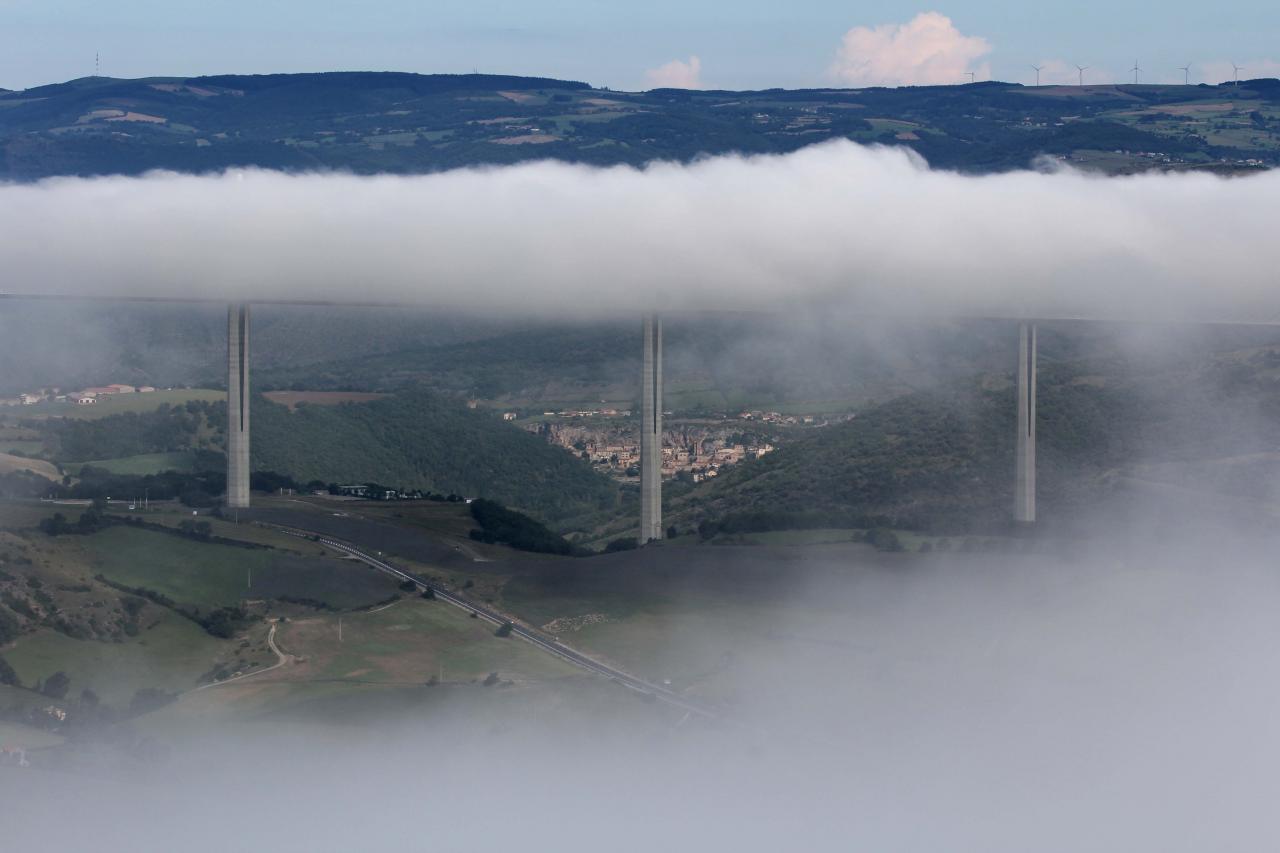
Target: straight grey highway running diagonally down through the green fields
{"points": [[542, 641]]}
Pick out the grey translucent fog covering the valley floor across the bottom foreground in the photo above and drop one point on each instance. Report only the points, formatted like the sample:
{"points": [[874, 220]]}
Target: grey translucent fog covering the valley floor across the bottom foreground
{"points": [[1121, 700]]}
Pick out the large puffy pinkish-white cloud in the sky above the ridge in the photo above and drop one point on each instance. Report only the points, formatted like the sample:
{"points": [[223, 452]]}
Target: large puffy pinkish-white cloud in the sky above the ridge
{"points": [[927, 51]]}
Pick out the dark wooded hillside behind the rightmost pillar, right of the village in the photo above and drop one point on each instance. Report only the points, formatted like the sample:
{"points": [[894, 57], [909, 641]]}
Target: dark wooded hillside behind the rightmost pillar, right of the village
{"points": [[945, 460]]}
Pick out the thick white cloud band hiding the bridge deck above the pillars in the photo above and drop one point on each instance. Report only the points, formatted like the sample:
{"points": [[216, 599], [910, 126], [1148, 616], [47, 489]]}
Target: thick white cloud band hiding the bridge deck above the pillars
{"points": [[871, 229]]}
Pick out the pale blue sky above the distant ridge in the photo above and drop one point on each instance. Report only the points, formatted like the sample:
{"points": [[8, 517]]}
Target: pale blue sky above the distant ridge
{"points": [[738, 44]]}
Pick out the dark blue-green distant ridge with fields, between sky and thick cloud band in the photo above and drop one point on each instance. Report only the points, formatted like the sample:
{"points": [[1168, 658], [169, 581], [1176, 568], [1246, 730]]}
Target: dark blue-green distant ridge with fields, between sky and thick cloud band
{"points": [[403, 124]]}
